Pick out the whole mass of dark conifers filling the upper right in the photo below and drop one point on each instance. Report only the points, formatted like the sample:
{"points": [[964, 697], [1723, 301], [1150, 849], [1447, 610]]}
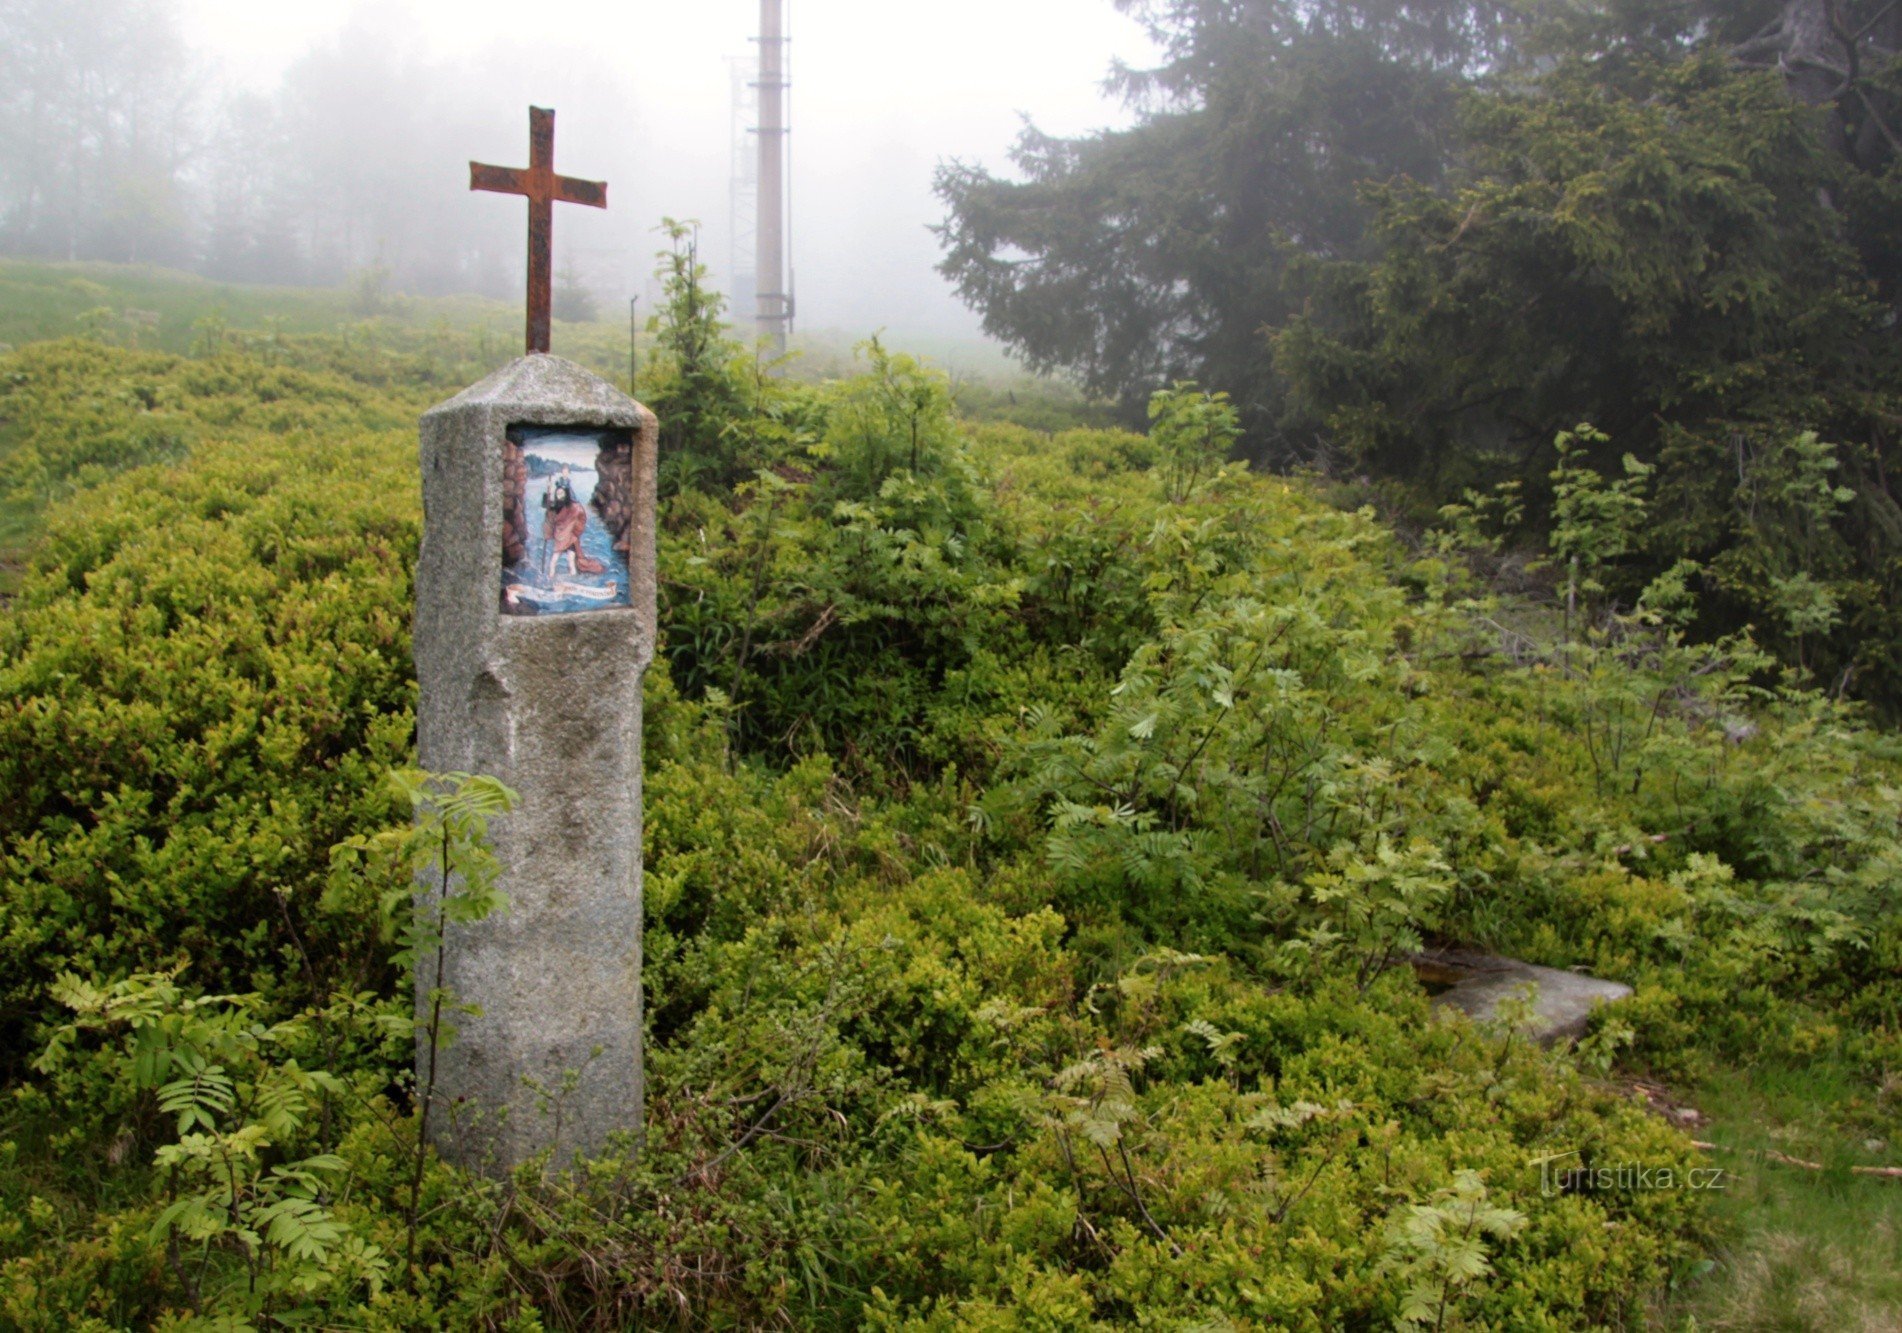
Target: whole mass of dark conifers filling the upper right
{"points": [[1420, 241]]}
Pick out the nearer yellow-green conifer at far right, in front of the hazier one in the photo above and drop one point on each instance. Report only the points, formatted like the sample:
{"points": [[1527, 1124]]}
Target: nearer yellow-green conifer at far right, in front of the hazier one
{"points": [[1648, 246]]}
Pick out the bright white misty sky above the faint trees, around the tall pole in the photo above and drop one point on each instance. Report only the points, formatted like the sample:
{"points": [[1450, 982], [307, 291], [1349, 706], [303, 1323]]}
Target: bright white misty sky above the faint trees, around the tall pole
{"points": [[882, 92]]}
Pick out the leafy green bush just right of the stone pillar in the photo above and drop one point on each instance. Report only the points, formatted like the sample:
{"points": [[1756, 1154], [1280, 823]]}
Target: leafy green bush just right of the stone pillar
{"points": [[868, 560]]}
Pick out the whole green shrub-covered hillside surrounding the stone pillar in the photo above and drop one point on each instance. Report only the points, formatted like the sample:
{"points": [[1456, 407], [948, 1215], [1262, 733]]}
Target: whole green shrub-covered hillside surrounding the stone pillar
{"points": [[1038, 826]]}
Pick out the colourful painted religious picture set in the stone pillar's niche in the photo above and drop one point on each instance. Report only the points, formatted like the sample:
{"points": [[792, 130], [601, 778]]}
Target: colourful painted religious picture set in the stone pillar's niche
{"points": [[568, 512]]}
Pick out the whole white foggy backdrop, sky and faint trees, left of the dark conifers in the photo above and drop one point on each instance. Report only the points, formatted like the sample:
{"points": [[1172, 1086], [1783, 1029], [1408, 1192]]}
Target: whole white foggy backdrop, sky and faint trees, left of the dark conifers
{"points": [[320, 144]]}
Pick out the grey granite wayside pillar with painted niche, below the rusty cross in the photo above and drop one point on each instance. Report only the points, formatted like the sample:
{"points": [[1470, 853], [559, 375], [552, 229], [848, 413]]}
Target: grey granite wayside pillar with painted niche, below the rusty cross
{"points": [[535, 623]]}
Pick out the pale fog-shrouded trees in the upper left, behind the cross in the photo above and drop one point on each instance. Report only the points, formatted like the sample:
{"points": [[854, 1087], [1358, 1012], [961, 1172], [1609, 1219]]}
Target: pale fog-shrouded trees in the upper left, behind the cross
{"points": [[128, 145]]}
